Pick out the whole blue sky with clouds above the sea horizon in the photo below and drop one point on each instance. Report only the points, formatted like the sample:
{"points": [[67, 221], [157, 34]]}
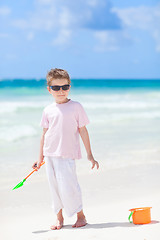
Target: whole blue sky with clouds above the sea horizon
{"points": [[89, 38]]}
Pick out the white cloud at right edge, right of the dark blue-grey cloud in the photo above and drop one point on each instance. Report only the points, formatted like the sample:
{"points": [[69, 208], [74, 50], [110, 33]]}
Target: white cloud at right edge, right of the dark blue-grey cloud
{"points": [[144, 18]]}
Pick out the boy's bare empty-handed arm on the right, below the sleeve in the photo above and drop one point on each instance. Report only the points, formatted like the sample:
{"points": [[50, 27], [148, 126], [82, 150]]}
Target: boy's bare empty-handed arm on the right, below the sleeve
{"points": [[85, 138]]}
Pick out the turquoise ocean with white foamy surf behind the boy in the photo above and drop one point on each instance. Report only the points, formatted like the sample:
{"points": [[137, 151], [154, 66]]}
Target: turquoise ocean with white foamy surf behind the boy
{"points": [[124, 116]]}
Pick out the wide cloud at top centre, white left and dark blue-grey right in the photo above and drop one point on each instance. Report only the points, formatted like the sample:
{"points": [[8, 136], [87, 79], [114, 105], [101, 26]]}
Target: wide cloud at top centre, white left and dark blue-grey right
{"points": [[50, 15]]}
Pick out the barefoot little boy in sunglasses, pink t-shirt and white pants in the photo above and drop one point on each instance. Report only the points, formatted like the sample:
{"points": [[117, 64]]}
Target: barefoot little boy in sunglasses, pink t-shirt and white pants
{"points": [[63, 121]]}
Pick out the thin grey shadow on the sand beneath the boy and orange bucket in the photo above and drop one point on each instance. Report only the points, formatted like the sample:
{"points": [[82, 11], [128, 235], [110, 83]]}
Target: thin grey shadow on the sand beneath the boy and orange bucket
{"points": [[100, 225]]}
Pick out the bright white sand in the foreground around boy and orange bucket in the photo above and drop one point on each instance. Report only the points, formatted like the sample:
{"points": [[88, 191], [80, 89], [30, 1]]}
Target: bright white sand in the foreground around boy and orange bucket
{"points": [[107, 195]]}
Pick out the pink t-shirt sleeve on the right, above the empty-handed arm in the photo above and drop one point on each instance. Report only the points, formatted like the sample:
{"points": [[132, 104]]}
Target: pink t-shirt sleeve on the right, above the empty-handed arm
{"points": [[82, 117]]}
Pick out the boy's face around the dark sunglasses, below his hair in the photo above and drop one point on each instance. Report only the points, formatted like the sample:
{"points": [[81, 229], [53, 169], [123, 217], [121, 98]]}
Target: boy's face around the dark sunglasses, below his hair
{"points": [[61, 95]]}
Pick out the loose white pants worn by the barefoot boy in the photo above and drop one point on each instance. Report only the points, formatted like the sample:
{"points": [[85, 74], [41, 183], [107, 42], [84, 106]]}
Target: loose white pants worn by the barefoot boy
{"points": [[63, 183]]}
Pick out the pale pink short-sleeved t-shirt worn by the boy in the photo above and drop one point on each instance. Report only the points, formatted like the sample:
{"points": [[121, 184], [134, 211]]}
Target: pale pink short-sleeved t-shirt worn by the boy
{"points": [[63, 121]]}
